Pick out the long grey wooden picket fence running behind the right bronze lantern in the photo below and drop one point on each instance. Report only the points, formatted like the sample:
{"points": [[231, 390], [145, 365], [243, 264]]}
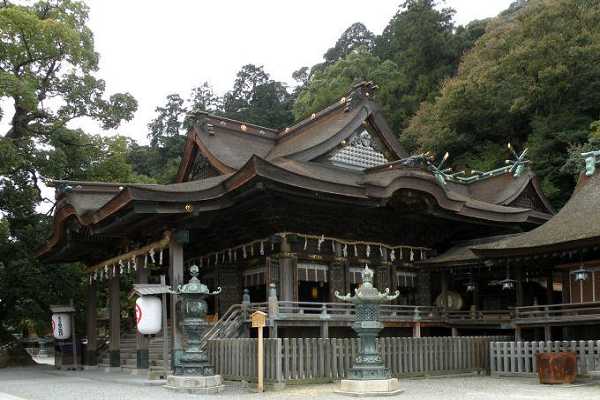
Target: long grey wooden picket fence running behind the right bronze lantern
{"points": [[326, 360]]}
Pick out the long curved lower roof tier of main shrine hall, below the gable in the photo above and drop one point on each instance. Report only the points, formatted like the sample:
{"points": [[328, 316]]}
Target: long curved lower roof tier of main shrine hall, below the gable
{"points": [[367, 188]]}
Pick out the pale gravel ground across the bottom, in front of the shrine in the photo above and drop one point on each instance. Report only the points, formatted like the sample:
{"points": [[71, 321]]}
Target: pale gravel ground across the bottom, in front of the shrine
{"points": [[46, 383]]}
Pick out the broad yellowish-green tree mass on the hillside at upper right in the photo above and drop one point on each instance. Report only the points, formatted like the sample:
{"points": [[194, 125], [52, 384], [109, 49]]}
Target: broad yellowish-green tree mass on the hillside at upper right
{"points": [[533, 78]]}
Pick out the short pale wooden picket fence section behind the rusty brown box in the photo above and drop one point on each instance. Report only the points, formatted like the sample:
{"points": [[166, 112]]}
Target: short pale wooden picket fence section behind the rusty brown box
{"points": [[518, 358]]}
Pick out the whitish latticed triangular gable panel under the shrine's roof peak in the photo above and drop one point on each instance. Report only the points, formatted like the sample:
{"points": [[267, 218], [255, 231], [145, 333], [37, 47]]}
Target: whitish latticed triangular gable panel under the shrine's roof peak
{"points": [[360, 151]]}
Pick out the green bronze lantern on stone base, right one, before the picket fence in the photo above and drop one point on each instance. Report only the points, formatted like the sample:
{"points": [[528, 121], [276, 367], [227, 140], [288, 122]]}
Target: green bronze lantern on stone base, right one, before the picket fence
{"points": [[368, 375]]}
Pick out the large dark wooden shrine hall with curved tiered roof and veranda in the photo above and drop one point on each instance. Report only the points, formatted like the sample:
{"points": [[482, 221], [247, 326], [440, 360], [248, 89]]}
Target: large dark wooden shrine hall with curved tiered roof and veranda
{"points": [[282, 219]]}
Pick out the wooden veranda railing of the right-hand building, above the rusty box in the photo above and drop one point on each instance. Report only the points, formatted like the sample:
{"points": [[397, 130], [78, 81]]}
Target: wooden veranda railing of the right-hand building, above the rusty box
{"points": [[557, 312]]}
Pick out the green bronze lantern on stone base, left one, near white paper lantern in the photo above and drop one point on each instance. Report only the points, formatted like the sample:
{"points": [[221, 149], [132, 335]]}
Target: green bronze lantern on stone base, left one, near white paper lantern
{"points": [[193, 372]]}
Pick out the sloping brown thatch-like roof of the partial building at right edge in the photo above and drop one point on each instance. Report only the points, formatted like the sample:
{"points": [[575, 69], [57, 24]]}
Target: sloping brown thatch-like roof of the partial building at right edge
{"points": [[576, 225]]}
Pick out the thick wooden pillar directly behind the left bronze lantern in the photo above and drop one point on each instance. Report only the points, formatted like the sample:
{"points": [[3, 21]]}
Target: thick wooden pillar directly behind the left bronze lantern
{"points": [[176, 279]]}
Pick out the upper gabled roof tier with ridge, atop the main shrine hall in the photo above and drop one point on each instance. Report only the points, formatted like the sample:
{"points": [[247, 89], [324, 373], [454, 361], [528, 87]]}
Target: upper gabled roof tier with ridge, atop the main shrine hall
{"points": [[228, 144]]}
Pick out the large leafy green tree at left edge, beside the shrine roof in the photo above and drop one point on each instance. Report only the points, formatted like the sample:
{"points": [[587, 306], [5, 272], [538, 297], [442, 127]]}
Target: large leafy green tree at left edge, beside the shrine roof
{"points": [[47, 75]]}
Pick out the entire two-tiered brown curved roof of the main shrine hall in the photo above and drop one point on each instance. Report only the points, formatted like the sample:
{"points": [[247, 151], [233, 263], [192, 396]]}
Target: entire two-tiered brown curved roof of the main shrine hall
{"points": [[246, 154]]}
